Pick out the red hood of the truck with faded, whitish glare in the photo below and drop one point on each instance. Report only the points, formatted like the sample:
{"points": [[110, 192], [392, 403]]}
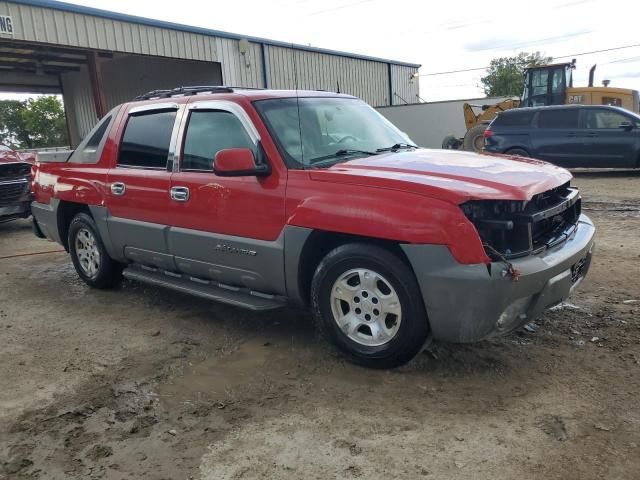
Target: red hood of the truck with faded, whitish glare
{"points": [[450, 175]]}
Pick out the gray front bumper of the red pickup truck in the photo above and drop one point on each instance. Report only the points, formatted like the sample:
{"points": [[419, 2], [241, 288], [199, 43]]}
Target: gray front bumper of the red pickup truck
{"points": [[467, 303]]}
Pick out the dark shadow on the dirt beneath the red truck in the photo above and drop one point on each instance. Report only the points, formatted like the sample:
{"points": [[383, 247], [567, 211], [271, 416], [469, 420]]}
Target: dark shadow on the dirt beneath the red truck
{"points": [[305, 342]]}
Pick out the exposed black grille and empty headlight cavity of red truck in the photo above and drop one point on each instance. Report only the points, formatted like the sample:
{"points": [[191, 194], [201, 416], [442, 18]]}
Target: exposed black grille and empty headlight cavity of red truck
{"points": [[512, 229]]}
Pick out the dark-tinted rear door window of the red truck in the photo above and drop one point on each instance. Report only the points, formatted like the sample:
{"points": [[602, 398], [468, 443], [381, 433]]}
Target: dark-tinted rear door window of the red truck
{"points": [[146, 139]]}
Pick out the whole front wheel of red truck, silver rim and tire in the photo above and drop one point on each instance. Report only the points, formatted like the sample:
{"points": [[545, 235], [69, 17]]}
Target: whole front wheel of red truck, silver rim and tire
{"points": [[368, 301]]}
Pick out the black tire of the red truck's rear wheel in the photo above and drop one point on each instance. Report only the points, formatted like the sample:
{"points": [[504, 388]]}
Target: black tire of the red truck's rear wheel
{"points": [[108, 272]]}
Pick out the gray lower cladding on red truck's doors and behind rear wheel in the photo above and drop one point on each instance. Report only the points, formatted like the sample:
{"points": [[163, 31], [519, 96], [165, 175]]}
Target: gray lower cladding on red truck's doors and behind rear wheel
{"points": [[256, 265]]}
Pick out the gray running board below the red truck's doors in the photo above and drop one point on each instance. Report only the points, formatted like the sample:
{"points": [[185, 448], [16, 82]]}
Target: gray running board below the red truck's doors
{"points": [[209, 290]]}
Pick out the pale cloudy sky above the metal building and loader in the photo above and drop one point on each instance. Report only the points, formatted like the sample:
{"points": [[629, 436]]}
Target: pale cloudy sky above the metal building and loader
{"points": [[442, 36]]}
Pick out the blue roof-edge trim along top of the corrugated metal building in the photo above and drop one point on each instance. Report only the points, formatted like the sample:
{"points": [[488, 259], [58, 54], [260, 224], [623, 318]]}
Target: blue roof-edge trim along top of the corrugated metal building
{"points": [[80, 9]]}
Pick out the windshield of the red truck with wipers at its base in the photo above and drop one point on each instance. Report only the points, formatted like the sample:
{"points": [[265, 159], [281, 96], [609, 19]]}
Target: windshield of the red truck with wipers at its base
{"points": [[314, 132]]}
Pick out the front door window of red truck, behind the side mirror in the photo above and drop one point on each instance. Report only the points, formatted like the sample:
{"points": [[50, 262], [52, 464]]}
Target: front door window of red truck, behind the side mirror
{"points": [[208, 132]]}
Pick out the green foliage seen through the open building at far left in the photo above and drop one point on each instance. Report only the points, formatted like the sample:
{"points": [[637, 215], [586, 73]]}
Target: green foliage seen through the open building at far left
{"points": [[34, 123]]}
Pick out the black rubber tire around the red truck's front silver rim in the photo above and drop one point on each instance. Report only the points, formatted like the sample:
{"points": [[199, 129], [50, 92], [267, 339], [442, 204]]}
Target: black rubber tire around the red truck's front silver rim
{"points": [[413, 328]]}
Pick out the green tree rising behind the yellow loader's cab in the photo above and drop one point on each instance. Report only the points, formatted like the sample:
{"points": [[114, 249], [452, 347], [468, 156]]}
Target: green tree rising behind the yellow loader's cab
{"points": [[504, 75]]}
